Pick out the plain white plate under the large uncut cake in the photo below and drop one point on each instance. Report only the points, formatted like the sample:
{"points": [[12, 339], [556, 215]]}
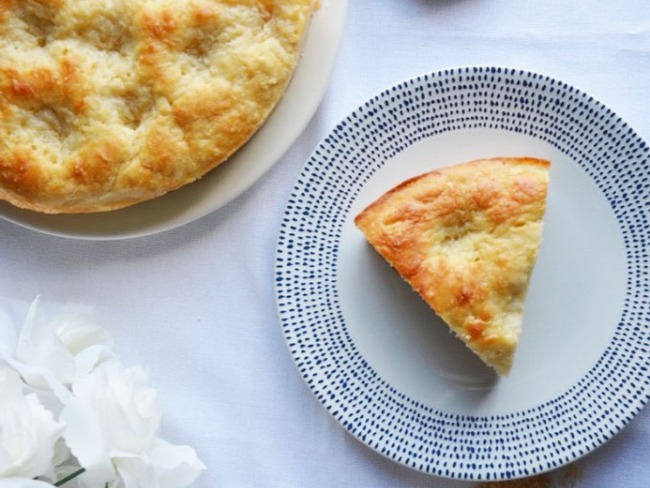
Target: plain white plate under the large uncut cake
{"points": [[231, 179]]}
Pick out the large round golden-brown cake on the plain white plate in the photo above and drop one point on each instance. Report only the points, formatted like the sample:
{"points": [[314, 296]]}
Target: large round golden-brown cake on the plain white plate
{"points": [[105, 104]]}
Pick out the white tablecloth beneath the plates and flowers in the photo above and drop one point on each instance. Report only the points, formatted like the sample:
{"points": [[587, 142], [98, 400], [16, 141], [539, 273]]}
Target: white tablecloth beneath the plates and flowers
{"points": [[196, 305]]}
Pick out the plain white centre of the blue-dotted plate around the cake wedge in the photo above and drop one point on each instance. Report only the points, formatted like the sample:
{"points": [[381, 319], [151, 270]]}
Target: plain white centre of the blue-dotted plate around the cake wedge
{"points": [[573, 305]]}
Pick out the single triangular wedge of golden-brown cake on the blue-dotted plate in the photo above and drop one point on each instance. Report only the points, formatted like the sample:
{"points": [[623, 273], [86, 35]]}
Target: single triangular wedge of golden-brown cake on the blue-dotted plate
{"points": [[466, 238]]}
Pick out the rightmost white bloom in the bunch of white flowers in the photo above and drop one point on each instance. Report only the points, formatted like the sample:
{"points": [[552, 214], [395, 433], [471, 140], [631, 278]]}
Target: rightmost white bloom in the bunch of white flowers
{"points": [[112, 426]]}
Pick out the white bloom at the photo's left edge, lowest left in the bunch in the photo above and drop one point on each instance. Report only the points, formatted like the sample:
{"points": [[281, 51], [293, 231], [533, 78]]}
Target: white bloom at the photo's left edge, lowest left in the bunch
{"points": [[28, 432]]}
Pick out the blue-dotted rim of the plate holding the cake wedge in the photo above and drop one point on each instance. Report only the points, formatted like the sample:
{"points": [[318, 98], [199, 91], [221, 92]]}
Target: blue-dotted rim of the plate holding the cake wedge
{"points": [[521, 443]]}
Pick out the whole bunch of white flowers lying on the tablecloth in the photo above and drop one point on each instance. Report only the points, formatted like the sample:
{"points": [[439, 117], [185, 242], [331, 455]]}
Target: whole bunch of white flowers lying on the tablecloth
{"points": [[68, 406]]}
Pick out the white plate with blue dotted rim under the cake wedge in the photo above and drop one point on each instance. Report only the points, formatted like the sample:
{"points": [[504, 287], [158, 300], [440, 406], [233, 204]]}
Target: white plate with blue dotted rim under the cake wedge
{"points": [[380, 361]]}
